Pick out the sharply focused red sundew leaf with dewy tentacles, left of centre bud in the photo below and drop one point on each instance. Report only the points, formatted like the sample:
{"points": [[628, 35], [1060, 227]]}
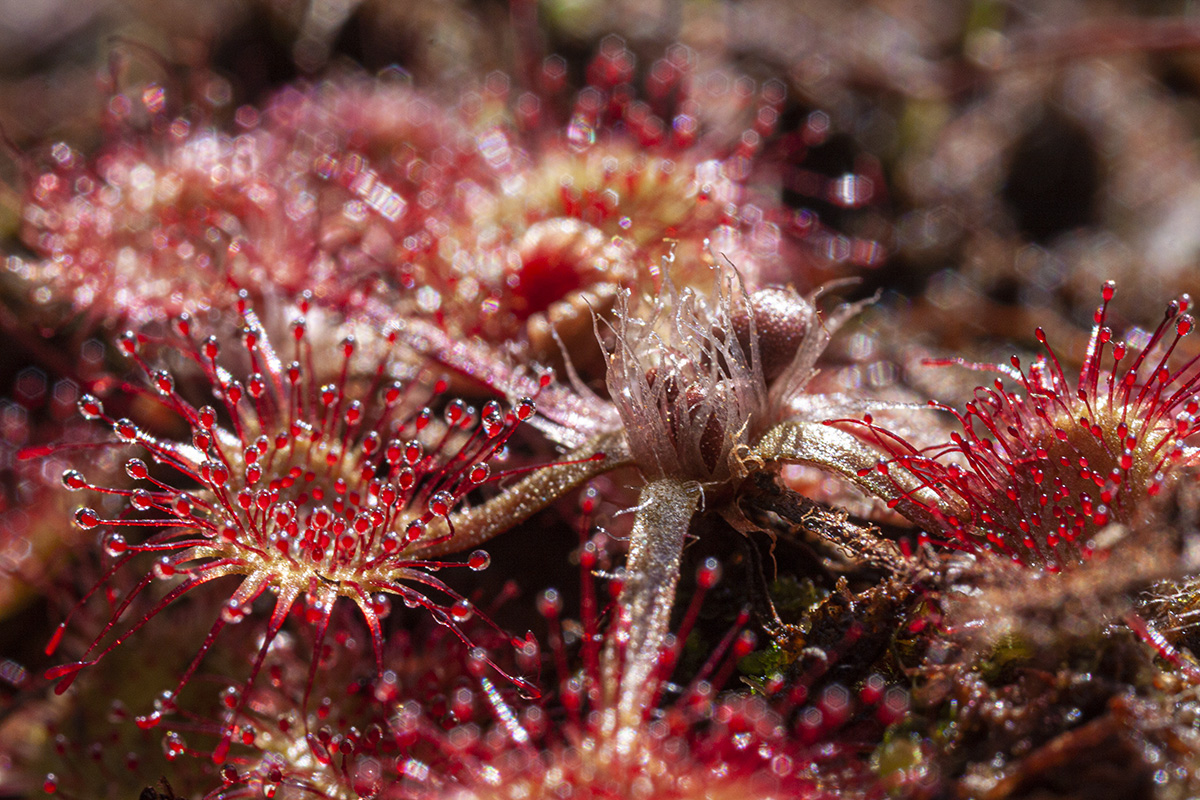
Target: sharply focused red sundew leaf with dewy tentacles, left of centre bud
{"points": [[315, 478]]}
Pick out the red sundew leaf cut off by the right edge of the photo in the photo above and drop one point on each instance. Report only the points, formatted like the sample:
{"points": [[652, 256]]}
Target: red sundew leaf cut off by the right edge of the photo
{"points": [[1037, 473]]}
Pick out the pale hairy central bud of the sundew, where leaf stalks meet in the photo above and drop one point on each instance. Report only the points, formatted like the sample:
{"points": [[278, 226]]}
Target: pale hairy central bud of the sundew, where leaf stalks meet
{"points": [[697, 401]]}
